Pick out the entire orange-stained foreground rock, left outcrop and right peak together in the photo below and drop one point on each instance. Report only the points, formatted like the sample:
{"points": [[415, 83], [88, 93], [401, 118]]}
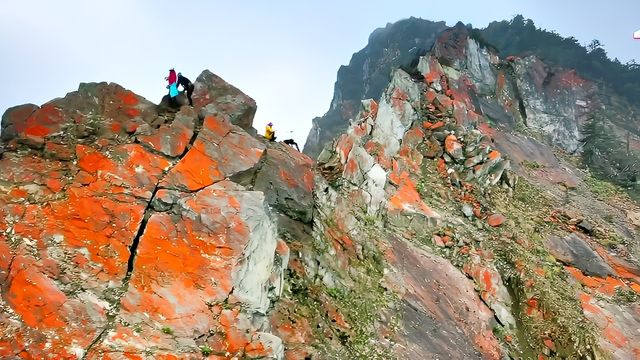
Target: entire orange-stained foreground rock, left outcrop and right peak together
{"points": [[420, 233]]}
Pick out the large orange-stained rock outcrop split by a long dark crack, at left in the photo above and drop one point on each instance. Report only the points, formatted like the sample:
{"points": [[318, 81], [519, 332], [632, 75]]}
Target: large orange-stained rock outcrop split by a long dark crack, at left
{"points": [[120, 236]]}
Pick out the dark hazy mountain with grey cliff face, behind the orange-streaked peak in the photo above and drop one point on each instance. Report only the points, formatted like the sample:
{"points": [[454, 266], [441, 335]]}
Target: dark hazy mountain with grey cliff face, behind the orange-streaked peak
{"points": [[551, 95]]}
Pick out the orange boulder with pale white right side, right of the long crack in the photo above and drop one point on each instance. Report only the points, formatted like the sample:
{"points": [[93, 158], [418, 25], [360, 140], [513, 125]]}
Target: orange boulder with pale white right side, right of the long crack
{"points": [[201, 279]]}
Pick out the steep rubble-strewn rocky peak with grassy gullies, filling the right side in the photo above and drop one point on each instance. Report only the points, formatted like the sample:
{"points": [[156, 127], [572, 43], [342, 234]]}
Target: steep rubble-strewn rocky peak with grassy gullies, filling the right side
{"points": [[552, 256]]}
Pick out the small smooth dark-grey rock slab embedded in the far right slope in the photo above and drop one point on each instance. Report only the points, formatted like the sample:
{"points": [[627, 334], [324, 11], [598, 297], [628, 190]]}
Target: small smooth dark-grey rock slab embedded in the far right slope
{"points": [[572, 250]]}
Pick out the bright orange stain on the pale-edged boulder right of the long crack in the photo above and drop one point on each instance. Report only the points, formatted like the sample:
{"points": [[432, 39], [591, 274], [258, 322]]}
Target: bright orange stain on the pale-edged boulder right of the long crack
{"points": [[174, 292]]}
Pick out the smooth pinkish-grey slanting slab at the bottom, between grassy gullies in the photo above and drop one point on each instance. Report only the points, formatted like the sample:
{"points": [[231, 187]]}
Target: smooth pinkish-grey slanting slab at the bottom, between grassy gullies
{"points": [[469, 328]]}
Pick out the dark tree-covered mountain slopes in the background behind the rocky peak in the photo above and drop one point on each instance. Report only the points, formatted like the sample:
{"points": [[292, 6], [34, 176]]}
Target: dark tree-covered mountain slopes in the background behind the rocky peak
{"points": [[616, 85]]}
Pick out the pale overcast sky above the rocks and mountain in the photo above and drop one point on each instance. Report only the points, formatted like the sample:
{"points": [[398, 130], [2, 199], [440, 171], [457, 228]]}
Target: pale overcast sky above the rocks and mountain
{"points": [[284, 54]]}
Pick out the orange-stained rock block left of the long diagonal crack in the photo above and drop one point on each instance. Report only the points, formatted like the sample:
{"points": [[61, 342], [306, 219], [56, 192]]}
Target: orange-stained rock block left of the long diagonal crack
{"points": [[65, 232]]}
